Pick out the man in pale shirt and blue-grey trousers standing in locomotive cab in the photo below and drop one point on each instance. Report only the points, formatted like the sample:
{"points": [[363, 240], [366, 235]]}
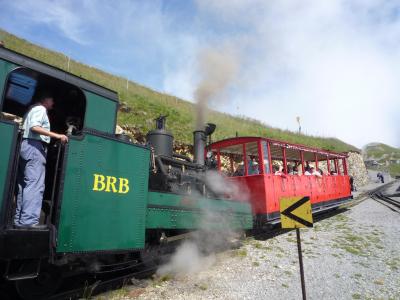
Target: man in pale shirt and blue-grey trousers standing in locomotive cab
{"points": [[32, 163]]}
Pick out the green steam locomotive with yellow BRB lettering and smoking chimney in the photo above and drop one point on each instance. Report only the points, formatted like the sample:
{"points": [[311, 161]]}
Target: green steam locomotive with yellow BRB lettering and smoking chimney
{"points": [[107, 200]]}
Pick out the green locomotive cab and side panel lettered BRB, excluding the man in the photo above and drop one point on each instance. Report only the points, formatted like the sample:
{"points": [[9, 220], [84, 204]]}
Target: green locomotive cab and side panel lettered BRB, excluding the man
{"points": [[87, 113]]}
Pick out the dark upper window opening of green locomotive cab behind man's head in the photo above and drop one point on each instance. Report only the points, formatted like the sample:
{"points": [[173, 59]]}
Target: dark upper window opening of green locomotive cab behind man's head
{"points": [[23, 88]]}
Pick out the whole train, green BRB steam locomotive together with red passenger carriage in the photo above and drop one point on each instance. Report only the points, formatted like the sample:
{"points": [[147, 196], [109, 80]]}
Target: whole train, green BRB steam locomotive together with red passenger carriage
{"points": [[108, 202]]}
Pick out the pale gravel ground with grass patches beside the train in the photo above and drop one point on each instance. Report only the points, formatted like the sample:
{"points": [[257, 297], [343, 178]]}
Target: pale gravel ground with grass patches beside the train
{"points": [[354, 254]]}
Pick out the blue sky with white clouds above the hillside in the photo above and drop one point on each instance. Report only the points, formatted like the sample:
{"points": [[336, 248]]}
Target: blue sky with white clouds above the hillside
{"points": [[333, 63]]}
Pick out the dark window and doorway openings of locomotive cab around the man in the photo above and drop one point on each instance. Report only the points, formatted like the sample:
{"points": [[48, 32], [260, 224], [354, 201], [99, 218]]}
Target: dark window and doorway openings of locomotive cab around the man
{"points": [[21, 90]]}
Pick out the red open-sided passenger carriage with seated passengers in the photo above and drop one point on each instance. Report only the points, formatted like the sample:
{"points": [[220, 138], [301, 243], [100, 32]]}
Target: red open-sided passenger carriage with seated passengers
{"points": [[254, 162]]}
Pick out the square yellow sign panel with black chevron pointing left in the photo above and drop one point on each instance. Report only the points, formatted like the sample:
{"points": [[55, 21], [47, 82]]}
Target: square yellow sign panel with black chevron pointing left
{"points": [[296, 212]]}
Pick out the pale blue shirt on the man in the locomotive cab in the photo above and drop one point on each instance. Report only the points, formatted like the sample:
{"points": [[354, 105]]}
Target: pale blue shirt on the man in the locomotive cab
{"points": [[37, 116]]}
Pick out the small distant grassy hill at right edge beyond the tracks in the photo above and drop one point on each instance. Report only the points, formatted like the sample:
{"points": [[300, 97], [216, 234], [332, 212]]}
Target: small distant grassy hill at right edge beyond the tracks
{"points": [[386, 157]]}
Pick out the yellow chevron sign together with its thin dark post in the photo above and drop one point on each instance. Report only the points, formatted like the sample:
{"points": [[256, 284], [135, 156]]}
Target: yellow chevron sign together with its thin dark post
{"points": [[296, 213]]}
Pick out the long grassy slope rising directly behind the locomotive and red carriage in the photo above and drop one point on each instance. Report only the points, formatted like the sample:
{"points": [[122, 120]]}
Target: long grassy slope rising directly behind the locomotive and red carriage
{"points": [[142, 105]]}
